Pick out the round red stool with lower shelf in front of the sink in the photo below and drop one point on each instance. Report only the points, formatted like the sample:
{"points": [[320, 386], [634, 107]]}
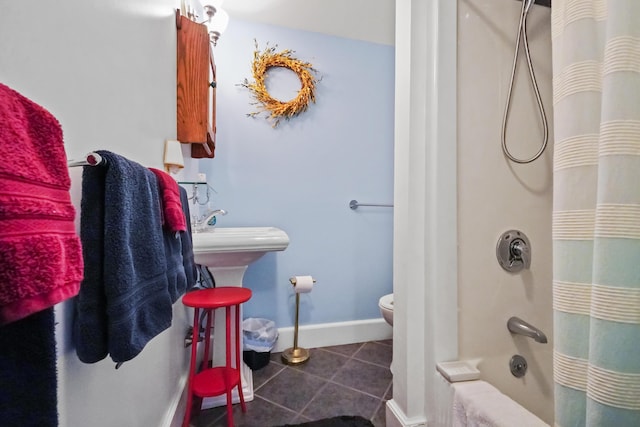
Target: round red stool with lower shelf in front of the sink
{"points": [[217, 380]]}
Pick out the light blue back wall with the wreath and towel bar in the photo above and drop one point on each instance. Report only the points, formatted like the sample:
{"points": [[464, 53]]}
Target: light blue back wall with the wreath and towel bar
{"points": [[301, 176]]}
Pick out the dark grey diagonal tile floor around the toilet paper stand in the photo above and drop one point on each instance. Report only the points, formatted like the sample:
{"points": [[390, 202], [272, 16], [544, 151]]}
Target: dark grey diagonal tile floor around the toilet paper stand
{"points": [[351, 379]]}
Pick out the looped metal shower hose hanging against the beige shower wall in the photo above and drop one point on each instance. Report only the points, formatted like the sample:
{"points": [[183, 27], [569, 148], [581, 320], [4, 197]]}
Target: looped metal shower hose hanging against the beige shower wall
{"points": [[522, 33]]}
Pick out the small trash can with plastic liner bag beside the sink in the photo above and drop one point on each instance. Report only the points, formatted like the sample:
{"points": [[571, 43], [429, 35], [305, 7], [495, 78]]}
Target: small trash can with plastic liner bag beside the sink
{"points": [[260, 336]]}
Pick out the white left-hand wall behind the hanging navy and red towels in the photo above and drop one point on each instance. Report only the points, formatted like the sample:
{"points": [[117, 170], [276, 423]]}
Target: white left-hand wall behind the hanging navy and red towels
{"points": [[106, 70]]}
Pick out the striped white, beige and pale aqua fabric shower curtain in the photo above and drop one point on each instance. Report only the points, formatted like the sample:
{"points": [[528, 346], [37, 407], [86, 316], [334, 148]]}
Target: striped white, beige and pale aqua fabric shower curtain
{"points": [[596, 212]]}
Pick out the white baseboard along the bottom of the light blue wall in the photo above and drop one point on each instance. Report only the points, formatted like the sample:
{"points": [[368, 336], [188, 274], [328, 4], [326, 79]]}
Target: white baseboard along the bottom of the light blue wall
{"points": [[338, 333]]}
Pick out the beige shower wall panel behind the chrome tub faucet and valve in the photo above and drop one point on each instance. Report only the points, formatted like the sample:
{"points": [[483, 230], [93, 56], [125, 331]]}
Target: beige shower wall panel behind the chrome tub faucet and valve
{"points": [[495, 195]]}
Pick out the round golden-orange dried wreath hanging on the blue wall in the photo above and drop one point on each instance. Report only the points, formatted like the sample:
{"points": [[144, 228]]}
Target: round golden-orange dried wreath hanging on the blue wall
{"points": [[269, 58]]}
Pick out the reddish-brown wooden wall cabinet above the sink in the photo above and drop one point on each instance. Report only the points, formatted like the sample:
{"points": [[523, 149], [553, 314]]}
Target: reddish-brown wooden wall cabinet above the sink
{"points": [[196, 94]]}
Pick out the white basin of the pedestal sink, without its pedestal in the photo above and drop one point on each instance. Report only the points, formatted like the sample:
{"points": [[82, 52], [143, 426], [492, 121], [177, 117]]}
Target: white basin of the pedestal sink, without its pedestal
{"points": [[236, 246]]}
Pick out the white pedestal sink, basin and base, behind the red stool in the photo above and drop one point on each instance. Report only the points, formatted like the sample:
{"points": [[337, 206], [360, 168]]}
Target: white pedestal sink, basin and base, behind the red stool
{"points": [[227, 252]]}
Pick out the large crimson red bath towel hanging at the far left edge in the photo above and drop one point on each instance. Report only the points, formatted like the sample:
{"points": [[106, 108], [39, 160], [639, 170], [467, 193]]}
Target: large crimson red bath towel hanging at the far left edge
{"points": [[40, 253]]}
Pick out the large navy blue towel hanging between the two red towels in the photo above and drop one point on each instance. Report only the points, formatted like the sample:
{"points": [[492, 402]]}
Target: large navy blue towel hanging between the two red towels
{"points": [[124, 300]]}
